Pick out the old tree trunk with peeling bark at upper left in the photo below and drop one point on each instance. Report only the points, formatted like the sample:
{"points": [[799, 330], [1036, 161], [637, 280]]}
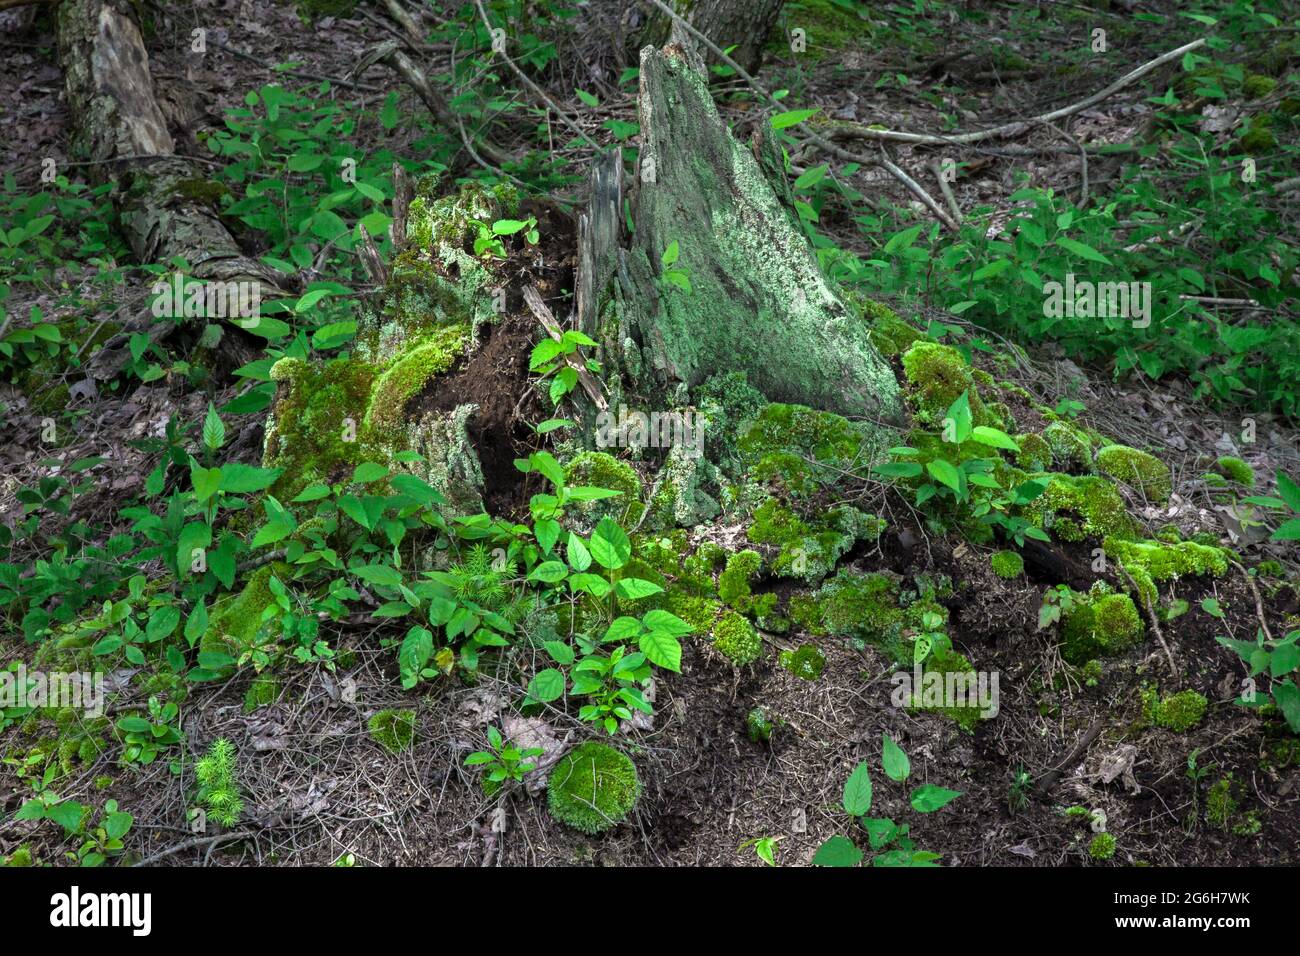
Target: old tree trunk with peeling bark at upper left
{"points": [[119, 127]]}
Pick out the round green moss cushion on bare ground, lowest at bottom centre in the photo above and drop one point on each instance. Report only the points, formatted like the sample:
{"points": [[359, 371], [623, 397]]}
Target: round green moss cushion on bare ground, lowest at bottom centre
{"points": [[593, 788]]}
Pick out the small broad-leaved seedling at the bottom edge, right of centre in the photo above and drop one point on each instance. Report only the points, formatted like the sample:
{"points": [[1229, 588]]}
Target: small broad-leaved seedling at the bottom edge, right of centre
{"points": [[890, 843]]}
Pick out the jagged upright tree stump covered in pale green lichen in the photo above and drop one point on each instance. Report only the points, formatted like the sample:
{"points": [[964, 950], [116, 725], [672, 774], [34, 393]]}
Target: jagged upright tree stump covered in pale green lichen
{"points": [[760, 302]]}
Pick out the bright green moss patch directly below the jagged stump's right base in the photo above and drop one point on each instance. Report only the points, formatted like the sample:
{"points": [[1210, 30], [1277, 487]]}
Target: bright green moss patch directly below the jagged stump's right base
{"points": [[803, 449]]}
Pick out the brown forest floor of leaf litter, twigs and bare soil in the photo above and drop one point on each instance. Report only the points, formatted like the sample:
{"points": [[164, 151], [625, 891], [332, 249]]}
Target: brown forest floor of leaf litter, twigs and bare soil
{"points": [[318, 786]]}
